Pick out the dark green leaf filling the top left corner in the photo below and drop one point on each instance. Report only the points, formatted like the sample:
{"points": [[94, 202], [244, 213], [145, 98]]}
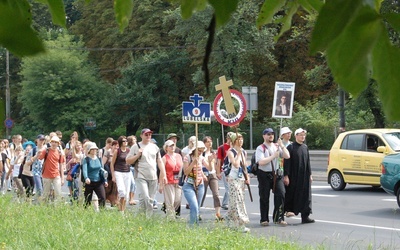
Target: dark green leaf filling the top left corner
{"points": [[16, 33]]}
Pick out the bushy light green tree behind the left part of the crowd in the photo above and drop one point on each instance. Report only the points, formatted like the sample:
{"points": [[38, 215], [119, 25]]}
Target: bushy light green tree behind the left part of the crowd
{"points": [[60, 89]]}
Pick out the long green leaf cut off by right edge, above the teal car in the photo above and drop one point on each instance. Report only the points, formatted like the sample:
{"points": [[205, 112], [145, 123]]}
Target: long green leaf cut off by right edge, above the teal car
{"points": [[386, 61]]}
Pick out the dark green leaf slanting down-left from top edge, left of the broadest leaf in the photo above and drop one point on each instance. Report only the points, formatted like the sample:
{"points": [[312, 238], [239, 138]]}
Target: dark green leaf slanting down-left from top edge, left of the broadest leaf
{"points": [[333, 18]]}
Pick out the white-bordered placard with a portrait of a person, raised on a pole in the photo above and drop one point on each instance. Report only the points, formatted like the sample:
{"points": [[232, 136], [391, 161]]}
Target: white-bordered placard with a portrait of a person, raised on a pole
{"points": [[283, 100]]}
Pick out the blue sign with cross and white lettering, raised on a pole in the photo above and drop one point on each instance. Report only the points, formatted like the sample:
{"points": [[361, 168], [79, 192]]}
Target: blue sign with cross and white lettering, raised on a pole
{"points": [[196, 111]]}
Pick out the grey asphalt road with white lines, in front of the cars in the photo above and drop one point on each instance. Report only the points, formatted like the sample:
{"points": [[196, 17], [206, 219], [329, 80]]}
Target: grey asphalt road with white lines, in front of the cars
{"points": [[359, 217]]}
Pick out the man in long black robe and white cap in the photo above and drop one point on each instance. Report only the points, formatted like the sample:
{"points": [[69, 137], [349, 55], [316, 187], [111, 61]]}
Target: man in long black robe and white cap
{"points": [[298, 178]]}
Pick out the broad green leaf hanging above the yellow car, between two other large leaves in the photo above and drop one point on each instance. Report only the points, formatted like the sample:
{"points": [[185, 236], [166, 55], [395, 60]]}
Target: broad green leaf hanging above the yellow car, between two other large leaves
{"points": [[349, 54]]}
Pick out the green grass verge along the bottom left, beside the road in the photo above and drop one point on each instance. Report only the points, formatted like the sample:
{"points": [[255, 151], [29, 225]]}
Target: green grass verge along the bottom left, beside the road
{"points": [[27, 226]]}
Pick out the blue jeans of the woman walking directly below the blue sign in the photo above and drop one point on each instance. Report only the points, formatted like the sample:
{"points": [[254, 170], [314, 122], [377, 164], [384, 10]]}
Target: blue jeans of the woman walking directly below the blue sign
{"points": [[194, 202]]}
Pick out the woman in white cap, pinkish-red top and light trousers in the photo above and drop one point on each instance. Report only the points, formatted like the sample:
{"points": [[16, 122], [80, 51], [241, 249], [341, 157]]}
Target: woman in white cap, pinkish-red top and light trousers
{"points": [[172, 191]]}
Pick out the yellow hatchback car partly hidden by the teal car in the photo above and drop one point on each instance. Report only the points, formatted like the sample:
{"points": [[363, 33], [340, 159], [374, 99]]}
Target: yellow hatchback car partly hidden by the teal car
{"points": [[356, 155]]}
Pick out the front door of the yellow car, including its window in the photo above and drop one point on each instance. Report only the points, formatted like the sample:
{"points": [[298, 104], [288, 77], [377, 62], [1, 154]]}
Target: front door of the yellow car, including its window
{"points": [[372, 159]]}
